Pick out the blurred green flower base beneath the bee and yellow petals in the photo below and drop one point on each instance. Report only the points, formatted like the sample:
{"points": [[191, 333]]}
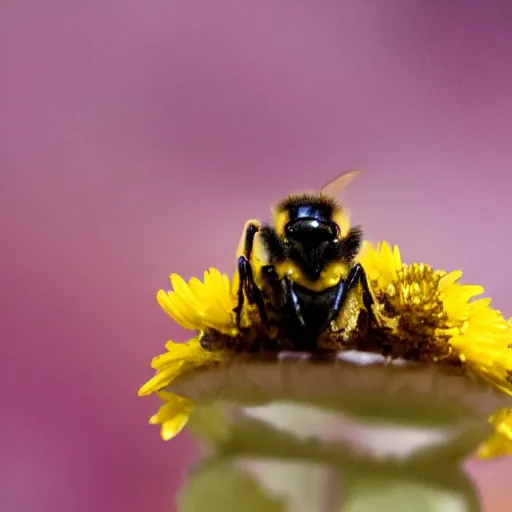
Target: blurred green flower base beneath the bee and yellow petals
{"points": [[330, 438]]}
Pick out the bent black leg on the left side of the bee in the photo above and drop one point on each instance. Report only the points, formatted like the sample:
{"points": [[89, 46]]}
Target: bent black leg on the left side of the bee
{"points": [[248, 287]]}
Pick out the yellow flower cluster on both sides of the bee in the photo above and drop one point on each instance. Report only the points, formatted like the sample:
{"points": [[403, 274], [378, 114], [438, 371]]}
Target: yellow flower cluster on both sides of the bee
{"points": [[414, 297]]}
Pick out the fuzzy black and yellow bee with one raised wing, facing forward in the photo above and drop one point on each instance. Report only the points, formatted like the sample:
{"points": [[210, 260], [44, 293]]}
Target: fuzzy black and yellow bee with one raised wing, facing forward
{"points": [[299, 271]]}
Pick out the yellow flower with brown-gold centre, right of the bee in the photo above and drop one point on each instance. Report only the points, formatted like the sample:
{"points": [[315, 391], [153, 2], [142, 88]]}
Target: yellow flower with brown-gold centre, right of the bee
{"points": [[433, 303]]}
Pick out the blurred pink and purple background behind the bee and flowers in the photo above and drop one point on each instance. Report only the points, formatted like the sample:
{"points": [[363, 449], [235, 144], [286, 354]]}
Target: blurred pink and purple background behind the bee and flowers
{"points": [[135, 140]]}
